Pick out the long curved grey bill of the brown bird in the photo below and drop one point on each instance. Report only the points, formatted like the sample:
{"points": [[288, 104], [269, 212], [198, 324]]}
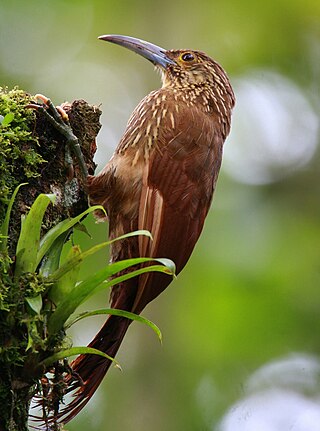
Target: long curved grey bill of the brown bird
{"points": [[148, 50]]}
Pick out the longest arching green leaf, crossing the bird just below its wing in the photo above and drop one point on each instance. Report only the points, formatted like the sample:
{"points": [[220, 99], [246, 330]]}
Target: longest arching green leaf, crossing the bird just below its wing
{"points": [[91, 285]]}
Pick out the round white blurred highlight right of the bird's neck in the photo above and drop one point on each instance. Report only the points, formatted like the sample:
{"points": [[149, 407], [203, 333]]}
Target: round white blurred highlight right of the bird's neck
{"points": [[274, 129]]}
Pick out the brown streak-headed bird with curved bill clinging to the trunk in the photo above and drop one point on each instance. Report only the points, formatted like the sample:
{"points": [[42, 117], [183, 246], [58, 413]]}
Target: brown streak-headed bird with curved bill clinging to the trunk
{"points": [[161, 178]]}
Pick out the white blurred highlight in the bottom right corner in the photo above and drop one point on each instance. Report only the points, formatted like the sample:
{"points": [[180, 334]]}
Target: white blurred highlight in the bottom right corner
{"points": [[283, 395]]}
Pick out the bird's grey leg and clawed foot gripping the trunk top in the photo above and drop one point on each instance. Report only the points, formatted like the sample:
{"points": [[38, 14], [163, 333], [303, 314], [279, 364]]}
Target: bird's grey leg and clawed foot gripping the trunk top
{"points": [[58, 117]]}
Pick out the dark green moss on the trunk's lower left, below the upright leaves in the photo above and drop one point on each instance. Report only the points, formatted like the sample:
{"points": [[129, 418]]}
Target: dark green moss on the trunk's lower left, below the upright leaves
{"points": [[23, 343]]}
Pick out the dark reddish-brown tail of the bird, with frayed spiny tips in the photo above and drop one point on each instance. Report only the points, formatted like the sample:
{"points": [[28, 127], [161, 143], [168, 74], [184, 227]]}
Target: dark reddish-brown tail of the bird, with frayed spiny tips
{"points": [[88, 370]]}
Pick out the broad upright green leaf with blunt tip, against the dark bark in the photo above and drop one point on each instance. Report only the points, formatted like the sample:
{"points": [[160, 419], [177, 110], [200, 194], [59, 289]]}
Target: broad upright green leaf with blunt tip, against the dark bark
{"points": [[29, 239]]}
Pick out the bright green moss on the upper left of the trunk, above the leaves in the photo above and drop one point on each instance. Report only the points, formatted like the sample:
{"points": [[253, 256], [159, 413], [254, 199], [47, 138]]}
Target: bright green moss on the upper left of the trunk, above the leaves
{"points": [[19, 158]]}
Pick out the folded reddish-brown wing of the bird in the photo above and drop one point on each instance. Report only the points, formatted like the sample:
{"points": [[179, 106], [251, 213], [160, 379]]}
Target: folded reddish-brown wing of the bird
{"points": [[177, 188]]}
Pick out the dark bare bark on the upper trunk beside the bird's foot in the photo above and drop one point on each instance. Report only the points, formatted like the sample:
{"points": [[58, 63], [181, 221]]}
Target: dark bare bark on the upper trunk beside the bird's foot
{"points": [[55, 176]]}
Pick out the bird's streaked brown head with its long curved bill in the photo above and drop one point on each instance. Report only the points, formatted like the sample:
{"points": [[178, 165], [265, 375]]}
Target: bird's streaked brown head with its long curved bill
{"points": [[180, 69]]}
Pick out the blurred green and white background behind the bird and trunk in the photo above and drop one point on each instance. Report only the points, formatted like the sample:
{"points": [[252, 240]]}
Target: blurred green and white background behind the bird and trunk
{"points": [[241, 324]]}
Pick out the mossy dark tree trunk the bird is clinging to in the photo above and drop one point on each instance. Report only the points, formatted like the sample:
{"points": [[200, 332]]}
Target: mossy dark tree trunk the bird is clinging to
{"points": [[32, 151]]}
